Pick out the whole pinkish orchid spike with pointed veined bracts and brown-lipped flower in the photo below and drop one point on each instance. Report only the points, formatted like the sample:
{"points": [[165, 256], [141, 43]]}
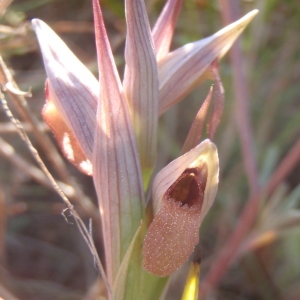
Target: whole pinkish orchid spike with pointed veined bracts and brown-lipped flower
{"points": [[108, 129]]}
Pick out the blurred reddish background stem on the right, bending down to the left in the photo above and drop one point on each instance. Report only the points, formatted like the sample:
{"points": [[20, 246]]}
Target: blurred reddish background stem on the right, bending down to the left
{"points": [[247, 218]]}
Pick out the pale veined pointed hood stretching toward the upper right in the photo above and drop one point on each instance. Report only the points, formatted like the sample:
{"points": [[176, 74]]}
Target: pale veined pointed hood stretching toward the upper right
{"points": [[183, 69]]}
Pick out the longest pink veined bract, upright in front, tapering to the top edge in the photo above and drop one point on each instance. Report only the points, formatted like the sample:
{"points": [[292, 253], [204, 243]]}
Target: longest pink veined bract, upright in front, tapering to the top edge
{"points": [[116, 166]]}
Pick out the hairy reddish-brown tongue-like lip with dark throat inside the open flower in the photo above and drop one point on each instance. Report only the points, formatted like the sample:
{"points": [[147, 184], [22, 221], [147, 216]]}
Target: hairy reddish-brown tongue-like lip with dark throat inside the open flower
{"points": [[174, 232]]}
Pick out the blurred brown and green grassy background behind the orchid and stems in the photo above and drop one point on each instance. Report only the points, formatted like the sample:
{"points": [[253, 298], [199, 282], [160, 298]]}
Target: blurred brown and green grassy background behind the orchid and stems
{"points": [[44, 257]]}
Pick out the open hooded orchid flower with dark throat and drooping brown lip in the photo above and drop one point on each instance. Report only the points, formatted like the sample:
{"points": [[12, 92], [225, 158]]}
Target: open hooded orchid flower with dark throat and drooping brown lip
{"points": [[183, 193]]}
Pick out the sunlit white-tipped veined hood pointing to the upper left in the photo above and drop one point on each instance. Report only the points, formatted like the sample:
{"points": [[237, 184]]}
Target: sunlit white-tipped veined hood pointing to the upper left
{"points": [[74, 89]]}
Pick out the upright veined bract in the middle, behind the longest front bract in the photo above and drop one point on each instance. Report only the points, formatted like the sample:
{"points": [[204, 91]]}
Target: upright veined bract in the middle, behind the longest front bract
{"points": [[141, 84]]}
